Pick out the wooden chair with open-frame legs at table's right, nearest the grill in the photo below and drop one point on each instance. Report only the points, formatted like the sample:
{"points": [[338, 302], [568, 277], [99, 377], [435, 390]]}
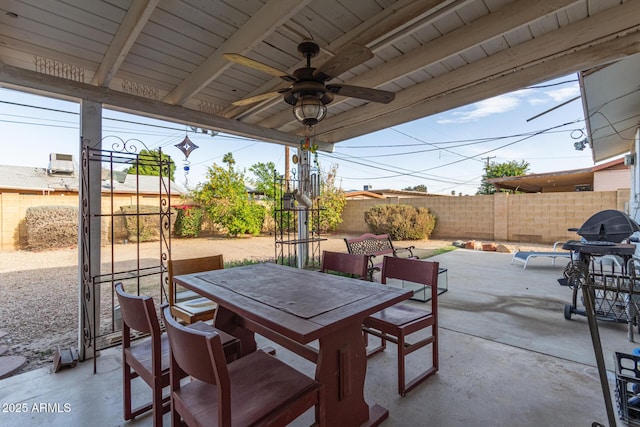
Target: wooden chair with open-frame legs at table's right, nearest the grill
{"points": [[401, 320]]}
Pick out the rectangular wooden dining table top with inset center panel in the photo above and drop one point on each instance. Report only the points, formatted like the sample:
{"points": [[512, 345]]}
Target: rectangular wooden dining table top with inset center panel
{"points": [[300, 304]]}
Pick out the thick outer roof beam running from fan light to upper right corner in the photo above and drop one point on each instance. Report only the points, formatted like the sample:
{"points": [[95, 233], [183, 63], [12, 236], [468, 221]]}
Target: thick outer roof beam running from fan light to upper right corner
{"points": [[569, 49]]}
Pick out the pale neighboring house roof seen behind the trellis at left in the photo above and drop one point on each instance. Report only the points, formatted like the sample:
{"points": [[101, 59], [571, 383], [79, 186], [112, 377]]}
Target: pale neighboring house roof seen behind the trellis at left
{"points": [[25, 178]]}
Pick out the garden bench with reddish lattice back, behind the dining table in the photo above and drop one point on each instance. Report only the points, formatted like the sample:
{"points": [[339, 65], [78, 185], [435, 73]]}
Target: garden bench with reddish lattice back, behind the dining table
{"points": [[376, 245]]}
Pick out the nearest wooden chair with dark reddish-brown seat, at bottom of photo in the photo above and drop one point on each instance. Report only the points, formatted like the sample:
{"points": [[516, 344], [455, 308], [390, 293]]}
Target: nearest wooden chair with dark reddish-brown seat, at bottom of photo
{"points": [[256, 390]]}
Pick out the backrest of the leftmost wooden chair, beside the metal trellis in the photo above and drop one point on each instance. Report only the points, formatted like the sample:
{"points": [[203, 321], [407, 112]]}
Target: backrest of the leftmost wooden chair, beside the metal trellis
{"points": [[138, 312]]}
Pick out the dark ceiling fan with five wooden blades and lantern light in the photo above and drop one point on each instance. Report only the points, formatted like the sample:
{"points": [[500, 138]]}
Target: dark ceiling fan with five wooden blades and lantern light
{"points": [[308, 93]]}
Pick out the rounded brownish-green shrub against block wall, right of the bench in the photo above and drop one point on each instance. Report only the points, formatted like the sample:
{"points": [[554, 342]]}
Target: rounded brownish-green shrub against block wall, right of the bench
{"points": [[400, 222]]}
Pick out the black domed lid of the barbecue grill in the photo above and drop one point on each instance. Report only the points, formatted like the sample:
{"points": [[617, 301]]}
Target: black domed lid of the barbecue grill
{"points": [[608, 226]]}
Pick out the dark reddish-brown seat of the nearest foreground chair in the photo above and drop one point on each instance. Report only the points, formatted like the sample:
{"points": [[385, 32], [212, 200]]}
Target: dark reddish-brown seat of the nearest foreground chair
{"points": [[260, 383]]}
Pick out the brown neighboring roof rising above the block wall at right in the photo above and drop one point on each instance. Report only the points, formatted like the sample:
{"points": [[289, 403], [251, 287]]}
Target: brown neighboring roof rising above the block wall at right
{"points": [[568, 180]]}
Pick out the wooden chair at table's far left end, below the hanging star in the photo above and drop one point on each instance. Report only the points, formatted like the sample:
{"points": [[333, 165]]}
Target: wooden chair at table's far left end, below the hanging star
{"points": [[186, 305]]}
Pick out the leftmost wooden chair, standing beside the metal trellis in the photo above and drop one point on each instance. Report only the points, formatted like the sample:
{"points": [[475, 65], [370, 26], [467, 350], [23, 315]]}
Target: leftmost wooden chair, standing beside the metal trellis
{"points": [[148, 359]]}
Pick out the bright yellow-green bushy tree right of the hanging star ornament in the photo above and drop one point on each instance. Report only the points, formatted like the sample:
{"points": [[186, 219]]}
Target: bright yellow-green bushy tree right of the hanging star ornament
{"points": [[226, 201]]}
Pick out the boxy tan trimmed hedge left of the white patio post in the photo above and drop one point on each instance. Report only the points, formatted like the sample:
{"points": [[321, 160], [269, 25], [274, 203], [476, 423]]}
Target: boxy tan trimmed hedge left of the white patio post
{"points": [[51, 227]]}
